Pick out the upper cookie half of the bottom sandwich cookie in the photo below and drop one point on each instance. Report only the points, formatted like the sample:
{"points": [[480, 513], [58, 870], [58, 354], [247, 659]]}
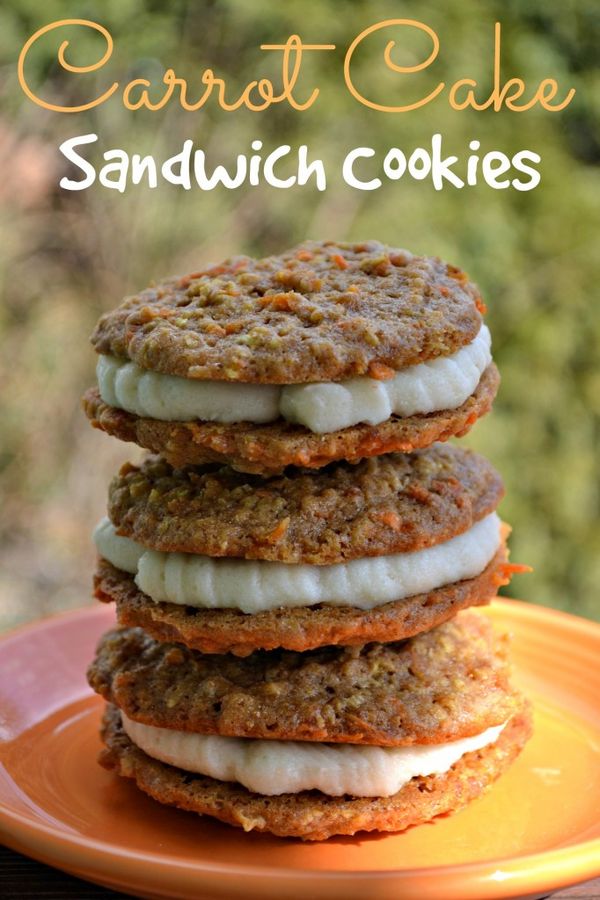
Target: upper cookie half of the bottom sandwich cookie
{"points": [[443, 685]]}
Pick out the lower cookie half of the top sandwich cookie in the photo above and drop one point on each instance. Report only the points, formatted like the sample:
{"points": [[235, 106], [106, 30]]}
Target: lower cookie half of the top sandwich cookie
{"points": [[268, 449]]}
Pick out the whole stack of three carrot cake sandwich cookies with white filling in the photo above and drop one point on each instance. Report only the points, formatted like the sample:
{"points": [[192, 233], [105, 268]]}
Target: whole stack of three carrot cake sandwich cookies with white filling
{"points": [[294, 566]]}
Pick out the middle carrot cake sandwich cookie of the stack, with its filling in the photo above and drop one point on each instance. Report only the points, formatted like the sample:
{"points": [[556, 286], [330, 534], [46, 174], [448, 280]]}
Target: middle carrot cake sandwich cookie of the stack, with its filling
{"points": [[224, 561]]}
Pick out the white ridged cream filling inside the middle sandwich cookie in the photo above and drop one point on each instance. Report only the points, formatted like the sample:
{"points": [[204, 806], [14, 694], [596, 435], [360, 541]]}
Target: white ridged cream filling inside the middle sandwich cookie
{"points": [[254, 586]]}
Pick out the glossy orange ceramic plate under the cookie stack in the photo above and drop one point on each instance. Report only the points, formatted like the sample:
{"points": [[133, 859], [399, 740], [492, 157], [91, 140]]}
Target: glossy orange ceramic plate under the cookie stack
{"points": [[537, 830]]}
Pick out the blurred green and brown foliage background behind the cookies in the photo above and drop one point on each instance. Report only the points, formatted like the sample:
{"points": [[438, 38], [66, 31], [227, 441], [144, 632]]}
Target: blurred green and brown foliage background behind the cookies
{"points": [[65, 257]]}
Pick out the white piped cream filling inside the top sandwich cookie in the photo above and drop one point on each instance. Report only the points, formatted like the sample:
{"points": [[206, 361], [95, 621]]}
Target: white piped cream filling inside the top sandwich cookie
{"points": [[442, 383]]}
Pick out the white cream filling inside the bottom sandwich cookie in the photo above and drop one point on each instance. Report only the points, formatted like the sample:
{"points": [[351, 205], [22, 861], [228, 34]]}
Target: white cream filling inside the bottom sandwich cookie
{"points": [[288, 767]]}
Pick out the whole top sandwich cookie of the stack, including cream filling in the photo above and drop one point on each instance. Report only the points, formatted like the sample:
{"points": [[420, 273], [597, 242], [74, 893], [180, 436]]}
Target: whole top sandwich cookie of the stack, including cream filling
{"points": [[327, 351]]}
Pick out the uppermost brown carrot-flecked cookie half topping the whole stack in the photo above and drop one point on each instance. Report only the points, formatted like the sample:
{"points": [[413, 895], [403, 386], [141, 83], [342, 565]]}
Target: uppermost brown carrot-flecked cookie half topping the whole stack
{"points": [[318, 312]]}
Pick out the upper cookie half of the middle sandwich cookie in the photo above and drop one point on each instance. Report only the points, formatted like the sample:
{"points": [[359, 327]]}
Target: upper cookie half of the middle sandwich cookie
{"points": [[390, 504]]}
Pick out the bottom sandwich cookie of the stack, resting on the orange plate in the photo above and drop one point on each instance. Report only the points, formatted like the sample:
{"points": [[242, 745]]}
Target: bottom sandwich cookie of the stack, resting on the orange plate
{"points": [[332, 741]]}
